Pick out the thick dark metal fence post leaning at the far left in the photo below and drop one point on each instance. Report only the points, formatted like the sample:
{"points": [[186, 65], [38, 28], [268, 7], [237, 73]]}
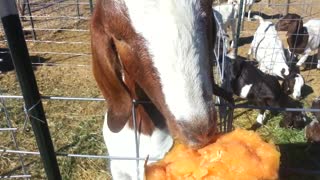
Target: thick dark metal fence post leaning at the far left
{"points": [[20, 56]]}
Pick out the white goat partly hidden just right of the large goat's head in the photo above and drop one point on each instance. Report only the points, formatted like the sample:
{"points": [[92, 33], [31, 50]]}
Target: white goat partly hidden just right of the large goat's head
{"points": [[225, 15]]}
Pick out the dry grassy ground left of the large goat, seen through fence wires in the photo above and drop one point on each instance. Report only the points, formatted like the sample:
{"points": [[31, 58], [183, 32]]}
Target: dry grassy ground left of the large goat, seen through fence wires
{"points": [[75, 126]]}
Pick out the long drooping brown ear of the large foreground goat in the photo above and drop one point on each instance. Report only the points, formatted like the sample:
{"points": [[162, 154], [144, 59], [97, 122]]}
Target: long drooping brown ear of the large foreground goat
{"points": [[107, 71]]}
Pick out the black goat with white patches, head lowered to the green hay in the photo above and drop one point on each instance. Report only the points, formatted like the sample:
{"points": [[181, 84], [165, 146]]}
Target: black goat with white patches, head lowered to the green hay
{"points": [[262, 90]]}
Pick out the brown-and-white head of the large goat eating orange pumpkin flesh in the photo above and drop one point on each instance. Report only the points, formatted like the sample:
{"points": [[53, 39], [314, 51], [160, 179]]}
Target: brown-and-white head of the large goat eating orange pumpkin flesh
{"points": [[165, 48]]}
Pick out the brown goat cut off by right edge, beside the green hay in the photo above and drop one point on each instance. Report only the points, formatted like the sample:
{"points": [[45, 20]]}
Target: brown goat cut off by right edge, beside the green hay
{"points": [[312, 130]]}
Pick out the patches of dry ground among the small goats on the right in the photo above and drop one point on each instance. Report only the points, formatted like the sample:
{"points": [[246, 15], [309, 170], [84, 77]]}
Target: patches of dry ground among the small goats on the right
{"points": [[312, 89]]}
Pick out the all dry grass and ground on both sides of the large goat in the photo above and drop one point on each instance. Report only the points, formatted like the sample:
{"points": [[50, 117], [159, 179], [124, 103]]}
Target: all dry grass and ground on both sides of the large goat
{"points": [[76, 126]]}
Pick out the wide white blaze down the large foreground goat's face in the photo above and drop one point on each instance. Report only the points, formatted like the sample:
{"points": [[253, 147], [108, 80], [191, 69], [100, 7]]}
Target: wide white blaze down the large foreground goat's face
{"points": [[179, 50]]}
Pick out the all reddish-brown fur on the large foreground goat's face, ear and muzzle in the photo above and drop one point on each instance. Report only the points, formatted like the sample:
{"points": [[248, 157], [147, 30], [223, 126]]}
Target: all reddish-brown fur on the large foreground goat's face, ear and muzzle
{"points": [[118, 50]]}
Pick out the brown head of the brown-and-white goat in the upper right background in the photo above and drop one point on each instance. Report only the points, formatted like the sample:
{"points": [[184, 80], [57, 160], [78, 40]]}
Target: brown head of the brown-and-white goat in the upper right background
{"points": [[290, 23]]}
